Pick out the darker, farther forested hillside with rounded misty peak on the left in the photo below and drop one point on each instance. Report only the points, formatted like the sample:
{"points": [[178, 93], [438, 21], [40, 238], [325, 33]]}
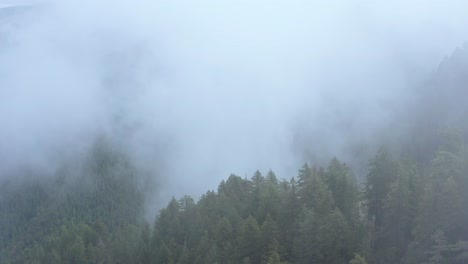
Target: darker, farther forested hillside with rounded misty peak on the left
{"points": [[87, 213]]}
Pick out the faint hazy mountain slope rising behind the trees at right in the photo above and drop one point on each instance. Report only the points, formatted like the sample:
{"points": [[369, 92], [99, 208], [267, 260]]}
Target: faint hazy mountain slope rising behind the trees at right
{"points": [[438, 104]]}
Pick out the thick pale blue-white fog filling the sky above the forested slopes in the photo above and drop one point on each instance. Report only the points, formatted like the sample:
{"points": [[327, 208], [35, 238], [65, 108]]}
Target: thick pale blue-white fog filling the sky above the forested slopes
{"points": [[196, 90]]}
